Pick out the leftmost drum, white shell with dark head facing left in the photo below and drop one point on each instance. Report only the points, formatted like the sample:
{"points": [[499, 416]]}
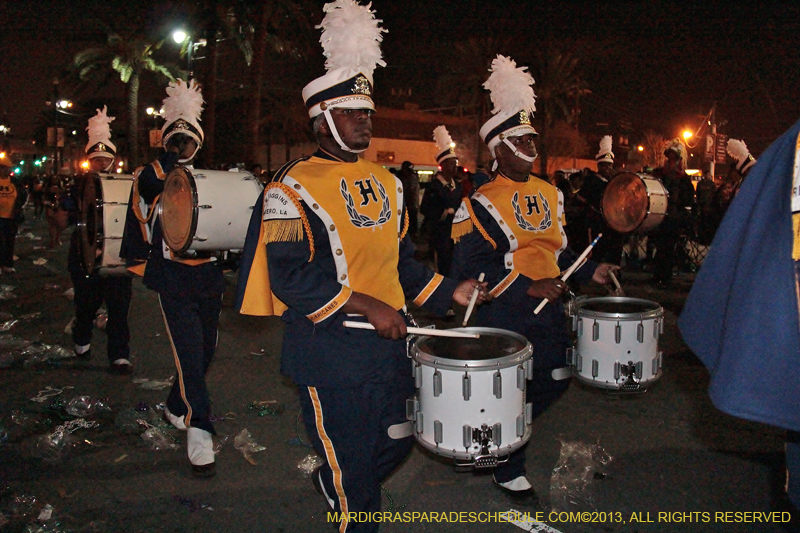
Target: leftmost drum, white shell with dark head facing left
{"points": [[104, 205]]}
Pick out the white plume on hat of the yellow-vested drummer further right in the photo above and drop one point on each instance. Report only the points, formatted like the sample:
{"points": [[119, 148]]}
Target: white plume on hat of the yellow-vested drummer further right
{"points": [[510, 87]]}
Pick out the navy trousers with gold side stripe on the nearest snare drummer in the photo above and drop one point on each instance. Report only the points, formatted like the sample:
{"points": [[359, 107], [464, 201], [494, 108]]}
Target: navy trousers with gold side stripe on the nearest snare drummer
{"points": [[349, 427]]}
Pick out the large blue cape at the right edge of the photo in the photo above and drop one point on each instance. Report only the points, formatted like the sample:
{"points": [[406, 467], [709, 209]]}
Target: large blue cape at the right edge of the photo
{"points": [[741, 317]]}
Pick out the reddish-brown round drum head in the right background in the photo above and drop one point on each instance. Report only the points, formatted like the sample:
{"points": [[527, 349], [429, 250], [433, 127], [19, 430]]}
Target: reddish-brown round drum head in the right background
{"points": [[625, 202]]}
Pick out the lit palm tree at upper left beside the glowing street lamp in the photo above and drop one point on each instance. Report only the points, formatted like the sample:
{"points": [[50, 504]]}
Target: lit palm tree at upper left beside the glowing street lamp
{"points": [[127, 55]]}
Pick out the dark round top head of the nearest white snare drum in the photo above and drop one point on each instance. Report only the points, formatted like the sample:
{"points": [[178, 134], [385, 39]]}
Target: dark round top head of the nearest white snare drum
{"points": [[496, 348]]}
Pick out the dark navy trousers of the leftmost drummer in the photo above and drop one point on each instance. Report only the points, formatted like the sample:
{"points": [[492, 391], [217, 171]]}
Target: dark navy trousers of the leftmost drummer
{"points": [[90, 293]]}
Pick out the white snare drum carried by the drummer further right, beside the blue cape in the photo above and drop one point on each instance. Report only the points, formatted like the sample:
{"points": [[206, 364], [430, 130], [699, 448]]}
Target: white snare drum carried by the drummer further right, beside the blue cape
{"points": [[617, 343]]}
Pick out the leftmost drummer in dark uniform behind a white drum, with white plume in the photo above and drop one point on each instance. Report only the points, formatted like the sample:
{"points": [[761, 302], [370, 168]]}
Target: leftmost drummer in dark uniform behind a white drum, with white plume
{"points": [[91, 289]]}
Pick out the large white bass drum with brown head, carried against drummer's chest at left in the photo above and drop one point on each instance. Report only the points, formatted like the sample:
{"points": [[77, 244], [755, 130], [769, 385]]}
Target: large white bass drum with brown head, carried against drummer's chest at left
{"points": [[207, 210]]}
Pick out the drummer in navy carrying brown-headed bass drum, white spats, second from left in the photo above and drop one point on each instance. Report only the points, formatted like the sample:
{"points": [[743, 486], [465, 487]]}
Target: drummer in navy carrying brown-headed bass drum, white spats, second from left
{"points": [[189, 290]]}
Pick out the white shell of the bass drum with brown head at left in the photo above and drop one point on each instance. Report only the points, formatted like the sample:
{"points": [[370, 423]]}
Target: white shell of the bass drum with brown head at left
{"points": [[224, 204]]}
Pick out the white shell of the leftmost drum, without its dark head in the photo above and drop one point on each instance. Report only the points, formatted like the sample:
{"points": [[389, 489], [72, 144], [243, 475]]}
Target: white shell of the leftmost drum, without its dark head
{"points": [[115, 190]]}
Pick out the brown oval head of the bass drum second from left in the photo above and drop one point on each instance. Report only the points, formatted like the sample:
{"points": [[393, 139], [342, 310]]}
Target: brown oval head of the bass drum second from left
{"points": [[178, 209]]}
